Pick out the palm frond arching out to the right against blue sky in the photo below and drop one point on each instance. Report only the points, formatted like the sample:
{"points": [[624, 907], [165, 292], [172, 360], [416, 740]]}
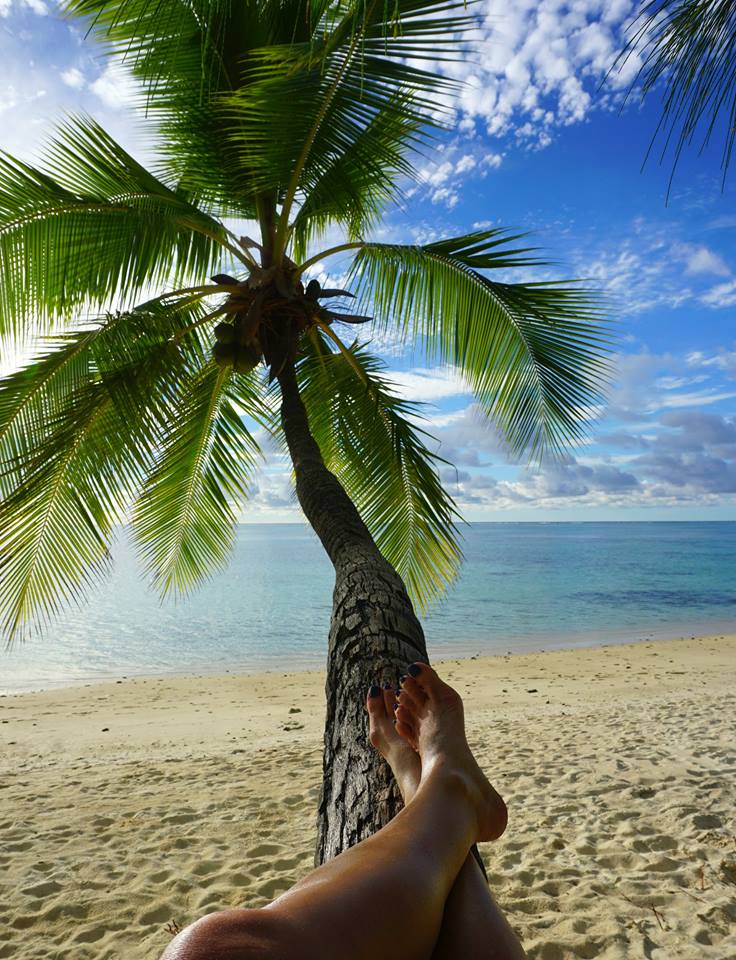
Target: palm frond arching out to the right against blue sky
{"points": [[535, 354]]}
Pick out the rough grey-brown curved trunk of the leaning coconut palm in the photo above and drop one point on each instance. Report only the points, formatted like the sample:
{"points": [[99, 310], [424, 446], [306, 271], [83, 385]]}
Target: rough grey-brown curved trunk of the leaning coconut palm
{"points": [[374, 634]]}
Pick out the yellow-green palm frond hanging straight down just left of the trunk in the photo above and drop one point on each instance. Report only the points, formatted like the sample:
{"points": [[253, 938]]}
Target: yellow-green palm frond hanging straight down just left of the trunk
{"points": [[184, 519]]}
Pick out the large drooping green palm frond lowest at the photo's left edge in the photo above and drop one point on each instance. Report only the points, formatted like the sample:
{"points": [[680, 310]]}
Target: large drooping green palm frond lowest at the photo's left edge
{"points": [[78, 428]]}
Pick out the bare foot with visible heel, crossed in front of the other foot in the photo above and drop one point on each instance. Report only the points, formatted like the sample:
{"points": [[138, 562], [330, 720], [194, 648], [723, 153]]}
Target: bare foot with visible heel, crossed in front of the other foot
{"points": [[430, 717]]}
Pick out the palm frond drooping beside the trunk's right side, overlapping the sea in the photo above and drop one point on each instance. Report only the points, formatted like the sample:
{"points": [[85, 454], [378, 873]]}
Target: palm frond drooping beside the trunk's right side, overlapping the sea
{"points": [[370, 440]]}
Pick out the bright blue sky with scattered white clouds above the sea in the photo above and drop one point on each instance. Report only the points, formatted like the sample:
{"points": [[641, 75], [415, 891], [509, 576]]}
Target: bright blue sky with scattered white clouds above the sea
{"points": [[543, 140]]}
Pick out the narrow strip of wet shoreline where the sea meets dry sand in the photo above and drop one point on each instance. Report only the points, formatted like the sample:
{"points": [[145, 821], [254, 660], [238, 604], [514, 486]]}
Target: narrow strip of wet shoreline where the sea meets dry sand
{"points": [[440, 653]]}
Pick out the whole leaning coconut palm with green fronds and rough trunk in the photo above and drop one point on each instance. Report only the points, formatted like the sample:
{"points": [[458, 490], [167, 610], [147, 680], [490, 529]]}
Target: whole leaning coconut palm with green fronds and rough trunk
{"points": [[142, 401]]}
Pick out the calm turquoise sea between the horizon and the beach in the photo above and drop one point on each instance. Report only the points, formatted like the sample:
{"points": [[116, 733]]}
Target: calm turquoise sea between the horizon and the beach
{"points": [[524, 586]]}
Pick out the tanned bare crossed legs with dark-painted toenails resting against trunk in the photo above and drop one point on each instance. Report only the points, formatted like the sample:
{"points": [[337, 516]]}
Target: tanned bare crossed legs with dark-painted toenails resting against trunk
{"points": [[390, 894]]}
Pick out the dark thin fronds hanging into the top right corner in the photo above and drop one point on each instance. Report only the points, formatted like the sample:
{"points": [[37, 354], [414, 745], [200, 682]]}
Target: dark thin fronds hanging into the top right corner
{"points": [[688, 53]]}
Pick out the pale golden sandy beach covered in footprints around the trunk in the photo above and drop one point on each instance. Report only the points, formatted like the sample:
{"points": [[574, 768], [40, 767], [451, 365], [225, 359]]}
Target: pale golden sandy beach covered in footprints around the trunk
{"points": [[132, 807]]}
